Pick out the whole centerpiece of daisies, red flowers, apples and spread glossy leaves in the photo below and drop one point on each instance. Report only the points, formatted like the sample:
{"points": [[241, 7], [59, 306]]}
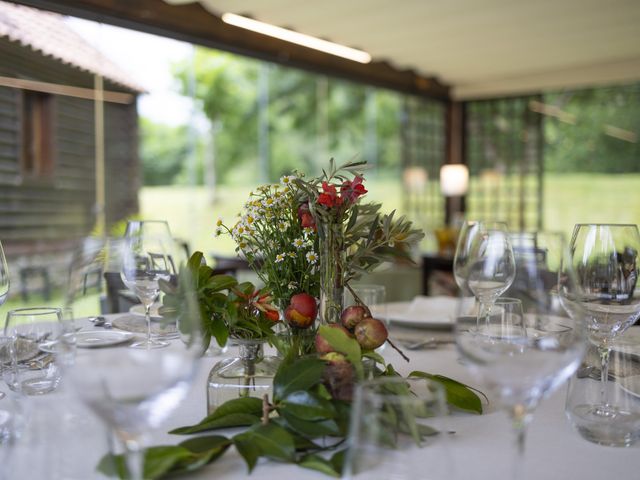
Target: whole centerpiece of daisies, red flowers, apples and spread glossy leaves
{"points": [[304, 238]]}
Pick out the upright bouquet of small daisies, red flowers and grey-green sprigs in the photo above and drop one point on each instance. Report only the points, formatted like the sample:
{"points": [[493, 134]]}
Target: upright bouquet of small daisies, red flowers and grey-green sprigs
{"points": [[311, 237]]}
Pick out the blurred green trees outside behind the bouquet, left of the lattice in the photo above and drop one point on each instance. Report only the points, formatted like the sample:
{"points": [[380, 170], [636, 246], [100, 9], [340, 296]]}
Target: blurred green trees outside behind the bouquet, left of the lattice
{"points": [[308, 119]]}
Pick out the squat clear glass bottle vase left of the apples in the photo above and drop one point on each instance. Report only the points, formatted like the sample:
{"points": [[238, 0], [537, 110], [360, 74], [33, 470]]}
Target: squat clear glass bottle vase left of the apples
{"points": [[250, 374]]}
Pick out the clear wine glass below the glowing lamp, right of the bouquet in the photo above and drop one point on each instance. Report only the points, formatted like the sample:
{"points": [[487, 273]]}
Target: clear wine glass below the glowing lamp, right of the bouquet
{"points": [[485, 263]]}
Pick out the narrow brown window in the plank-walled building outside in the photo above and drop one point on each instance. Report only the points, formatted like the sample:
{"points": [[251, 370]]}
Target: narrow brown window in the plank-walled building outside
{"points": [[37, 134]]}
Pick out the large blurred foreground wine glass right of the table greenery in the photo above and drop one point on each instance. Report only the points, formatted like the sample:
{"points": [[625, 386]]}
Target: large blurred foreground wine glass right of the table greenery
{"points": [[522, 359]]}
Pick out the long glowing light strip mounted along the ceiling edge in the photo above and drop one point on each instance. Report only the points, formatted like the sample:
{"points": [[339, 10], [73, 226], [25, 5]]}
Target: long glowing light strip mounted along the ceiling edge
{"points": [[298, 38]]}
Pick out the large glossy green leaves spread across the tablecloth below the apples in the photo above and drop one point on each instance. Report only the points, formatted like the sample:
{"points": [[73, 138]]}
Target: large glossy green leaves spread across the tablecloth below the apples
{"points": [[287, 427]]}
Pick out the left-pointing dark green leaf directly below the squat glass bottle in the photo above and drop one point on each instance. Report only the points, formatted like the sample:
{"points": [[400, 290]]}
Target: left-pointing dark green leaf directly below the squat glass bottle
{"points": [[240, 412]]}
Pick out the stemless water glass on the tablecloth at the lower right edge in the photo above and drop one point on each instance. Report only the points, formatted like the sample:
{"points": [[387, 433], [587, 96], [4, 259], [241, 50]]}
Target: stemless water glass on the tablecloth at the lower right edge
{"points": [[621, 426]]}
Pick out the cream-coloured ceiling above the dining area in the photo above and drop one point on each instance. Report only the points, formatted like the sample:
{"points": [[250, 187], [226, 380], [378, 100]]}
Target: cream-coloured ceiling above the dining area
{"points": [[481, 48]]}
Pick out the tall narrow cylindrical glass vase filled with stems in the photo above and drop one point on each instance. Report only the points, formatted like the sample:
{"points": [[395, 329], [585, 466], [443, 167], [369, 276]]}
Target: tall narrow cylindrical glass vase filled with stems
{"points": [[332, 260]]}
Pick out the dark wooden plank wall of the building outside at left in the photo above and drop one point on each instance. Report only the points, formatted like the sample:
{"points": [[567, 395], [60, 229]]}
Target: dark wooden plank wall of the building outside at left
{"points": [[39, 215]]}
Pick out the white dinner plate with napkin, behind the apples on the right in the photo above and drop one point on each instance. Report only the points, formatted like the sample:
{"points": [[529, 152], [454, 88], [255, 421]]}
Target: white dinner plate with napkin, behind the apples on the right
{"points": [[422, 312]]}
